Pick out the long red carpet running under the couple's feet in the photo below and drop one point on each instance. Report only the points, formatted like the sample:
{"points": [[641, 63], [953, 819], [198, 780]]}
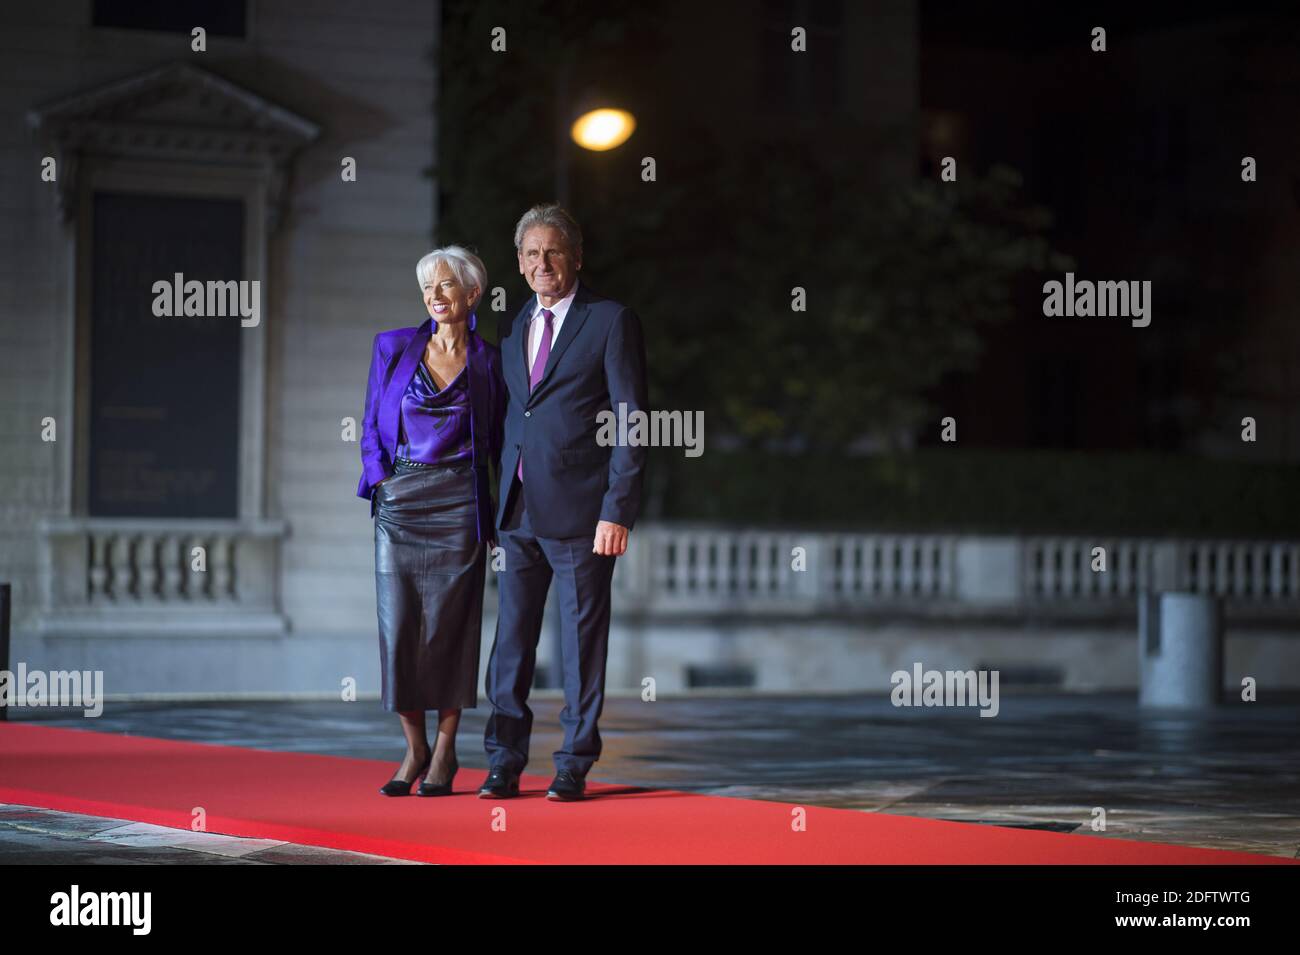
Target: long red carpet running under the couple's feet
{"points": [[327, 801]]}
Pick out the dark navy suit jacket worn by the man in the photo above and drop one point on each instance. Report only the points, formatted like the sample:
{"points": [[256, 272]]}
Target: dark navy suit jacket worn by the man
{"points": [[596, 364]]}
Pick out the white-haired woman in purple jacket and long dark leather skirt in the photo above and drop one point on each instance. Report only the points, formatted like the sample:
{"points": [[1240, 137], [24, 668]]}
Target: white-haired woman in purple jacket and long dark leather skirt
{"points": [[435, 407]]}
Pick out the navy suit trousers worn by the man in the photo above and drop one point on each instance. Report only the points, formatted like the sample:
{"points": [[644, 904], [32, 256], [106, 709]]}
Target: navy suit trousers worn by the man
{"points": [[583, 589]]}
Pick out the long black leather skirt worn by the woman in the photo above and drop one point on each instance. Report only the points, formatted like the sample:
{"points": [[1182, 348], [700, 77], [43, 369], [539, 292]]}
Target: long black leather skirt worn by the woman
{"points": [[430, 575]]}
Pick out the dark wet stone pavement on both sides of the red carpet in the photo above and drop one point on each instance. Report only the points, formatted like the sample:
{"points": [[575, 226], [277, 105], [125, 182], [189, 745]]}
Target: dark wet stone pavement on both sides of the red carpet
{"points": [[1223, 779]]}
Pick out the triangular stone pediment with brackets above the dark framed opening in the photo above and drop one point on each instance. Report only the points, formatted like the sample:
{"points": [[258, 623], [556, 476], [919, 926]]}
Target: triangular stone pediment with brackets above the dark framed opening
{"points": [[177, 114]]}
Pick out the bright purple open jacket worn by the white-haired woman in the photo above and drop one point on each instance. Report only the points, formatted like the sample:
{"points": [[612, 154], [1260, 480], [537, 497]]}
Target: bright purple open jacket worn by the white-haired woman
{"points": [[393, 363]]}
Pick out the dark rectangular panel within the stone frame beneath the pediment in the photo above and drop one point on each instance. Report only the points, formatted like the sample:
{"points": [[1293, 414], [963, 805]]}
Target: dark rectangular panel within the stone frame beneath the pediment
{"points": [[164, 416]]}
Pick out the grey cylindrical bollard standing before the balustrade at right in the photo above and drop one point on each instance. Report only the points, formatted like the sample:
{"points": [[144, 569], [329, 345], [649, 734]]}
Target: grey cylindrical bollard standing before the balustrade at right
{"points": [[1180, 650]]}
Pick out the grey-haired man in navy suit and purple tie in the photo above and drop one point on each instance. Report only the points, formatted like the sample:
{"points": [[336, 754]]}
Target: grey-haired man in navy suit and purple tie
{"points": [[566, 503]]}
